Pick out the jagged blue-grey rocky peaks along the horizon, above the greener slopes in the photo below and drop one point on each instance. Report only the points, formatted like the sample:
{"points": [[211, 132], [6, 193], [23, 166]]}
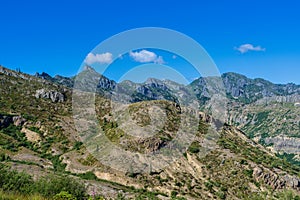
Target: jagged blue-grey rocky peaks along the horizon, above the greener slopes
{"points": [[238, 87]]}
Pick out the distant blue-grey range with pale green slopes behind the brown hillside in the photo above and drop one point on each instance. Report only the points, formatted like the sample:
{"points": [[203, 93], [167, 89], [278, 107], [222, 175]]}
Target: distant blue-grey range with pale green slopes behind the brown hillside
{"points": [[265, 111]]}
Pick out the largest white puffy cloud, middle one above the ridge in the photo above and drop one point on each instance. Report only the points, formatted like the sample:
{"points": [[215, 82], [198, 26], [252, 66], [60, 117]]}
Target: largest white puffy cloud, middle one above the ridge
{"points": [[145, 56]]}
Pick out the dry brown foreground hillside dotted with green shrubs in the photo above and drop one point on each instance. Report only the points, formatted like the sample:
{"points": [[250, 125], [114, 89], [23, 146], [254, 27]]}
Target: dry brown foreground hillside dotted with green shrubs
{"points": [[38, 135]]}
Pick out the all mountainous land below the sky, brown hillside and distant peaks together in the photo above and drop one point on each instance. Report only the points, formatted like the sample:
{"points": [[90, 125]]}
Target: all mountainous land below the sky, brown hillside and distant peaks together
{"points": [[255, 155]]}
